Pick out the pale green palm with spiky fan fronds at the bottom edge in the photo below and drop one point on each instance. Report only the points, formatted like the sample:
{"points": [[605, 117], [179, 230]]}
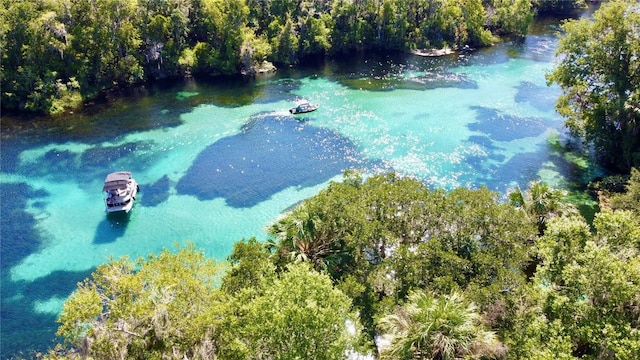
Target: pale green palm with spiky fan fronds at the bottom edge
{"points": [[442, 328]]}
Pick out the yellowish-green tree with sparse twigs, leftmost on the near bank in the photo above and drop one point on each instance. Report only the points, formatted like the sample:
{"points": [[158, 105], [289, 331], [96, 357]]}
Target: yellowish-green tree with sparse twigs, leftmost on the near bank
{"points": [[164, 306]]}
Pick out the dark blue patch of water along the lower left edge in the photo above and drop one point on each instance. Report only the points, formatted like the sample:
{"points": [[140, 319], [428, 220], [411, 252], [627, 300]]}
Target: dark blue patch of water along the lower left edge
{"points": [[23, 326]]}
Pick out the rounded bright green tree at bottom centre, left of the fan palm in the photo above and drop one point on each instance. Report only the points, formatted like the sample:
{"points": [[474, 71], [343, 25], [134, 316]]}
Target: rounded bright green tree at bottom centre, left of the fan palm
{"points": [[299, 316]]}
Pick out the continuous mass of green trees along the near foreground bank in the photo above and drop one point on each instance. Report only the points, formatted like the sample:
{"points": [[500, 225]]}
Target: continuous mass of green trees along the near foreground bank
{"points": [[386, 267]]}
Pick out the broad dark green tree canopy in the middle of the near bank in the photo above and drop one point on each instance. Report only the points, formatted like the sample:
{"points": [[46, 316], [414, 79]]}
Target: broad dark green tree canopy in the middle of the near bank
{"points": [[387, 235]]}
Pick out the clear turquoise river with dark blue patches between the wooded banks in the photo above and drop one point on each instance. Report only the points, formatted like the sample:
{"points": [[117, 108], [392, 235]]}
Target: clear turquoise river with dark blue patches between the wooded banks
{"points": [[219, 161]]}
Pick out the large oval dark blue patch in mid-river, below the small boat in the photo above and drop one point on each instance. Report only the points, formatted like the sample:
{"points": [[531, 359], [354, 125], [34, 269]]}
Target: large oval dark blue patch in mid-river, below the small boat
{"points": [[272, 153]]}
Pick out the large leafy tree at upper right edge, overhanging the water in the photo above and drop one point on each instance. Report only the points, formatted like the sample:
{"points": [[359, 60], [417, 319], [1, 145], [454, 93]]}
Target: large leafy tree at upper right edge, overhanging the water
{"points": [[599, 74]]}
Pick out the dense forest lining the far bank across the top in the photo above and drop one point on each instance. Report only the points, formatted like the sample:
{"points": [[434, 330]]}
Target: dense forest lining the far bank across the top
{"points": [[55, 54]]}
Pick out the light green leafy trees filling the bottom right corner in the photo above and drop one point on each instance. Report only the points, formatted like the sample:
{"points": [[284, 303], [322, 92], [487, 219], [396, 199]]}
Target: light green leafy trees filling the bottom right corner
{"points": [[589, 286]]}
